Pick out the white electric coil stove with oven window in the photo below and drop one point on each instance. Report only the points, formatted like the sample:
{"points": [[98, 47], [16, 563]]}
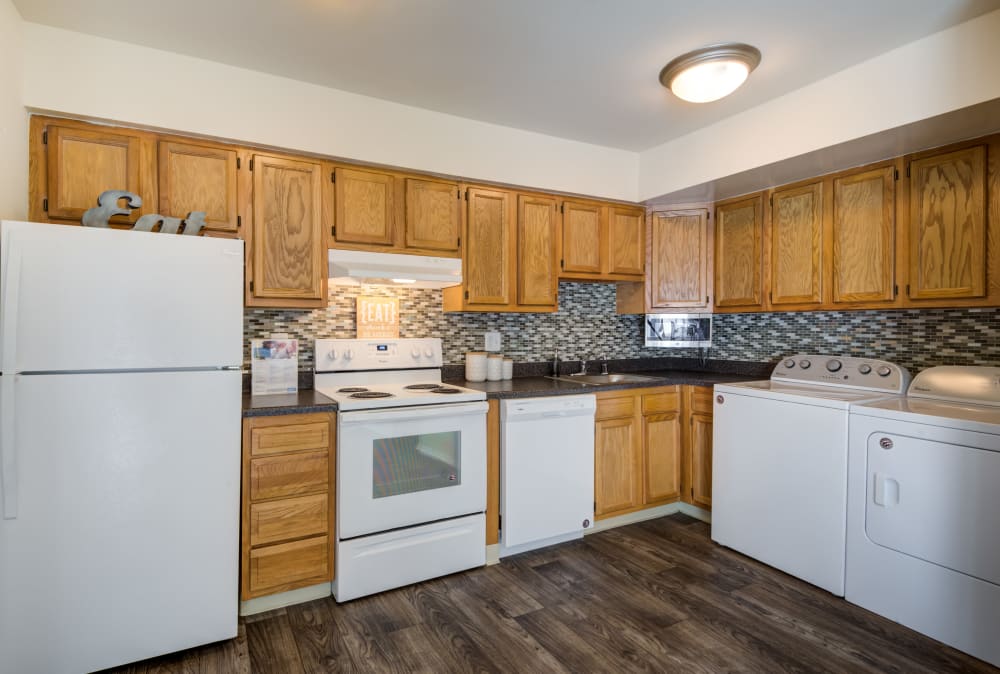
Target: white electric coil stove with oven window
{"points": [[411, 464]]}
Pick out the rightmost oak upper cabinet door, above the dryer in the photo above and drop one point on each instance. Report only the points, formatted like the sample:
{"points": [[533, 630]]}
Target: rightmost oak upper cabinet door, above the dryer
{"points": [[948, 225]]}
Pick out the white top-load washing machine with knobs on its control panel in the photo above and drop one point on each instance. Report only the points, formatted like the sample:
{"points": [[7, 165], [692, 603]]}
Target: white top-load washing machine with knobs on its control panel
{"points": [[779, 461]]}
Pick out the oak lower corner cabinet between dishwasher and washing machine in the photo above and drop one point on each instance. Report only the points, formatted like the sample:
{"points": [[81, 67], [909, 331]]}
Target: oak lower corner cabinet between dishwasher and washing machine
{"points": [[652, 447]]}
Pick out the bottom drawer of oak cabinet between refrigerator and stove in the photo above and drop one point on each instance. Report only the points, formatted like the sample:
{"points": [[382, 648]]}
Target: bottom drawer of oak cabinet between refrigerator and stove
{"points": [[287, 565]]}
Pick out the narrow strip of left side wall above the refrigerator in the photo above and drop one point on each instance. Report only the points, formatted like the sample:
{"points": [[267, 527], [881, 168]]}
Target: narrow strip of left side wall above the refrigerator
{"points": [[13, 118]]}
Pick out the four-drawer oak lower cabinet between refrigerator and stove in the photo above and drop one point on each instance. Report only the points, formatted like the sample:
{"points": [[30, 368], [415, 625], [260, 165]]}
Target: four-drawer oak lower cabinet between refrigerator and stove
{"points": [[287, 530]]}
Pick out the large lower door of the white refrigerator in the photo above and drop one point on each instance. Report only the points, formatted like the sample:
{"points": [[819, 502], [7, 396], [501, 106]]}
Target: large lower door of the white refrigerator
{"points": [[125, 544]]}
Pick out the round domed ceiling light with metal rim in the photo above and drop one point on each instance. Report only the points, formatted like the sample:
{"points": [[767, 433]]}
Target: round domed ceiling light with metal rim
{"points": [[710, 73]]}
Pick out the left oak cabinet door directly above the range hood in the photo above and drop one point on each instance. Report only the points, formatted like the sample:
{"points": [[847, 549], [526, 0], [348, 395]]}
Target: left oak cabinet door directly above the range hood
{"points": [[363, 207]]}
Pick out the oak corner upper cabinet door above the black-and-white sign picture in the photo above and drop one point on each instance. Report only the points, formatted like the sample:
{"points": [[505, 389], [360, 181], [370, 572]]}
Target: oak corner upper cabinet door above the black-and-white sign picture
{"points": [[679, 261]]}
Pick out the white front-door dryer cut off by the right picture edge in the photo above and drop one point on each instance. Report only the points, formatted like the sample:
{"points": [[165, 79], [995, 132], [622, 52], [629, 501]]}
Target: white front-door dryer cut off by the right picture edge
{"points": [[923, 534]]}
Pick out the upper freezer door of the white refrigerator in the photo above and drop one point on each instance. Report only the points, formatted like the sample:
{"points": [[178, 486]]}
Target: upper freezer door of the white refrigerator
{"points": [[80, 298]]}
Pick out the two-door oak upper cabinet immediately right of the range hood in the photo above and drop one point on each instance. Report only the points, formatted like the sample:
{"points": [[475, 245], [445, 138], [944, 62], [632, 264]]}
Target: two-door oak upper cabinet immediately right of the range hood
{"points": [[509, 253]]}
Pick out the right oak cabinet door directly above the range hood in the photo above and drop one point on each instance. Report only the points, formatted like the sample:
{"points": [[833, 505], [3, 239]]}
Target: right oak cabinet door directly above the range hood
{"points": [[433, 217]]}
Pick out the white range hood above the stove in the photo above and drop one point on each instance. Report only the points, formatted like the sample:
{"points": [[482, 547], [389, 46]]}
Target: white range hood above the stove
{"points": [[354, 267]]}
